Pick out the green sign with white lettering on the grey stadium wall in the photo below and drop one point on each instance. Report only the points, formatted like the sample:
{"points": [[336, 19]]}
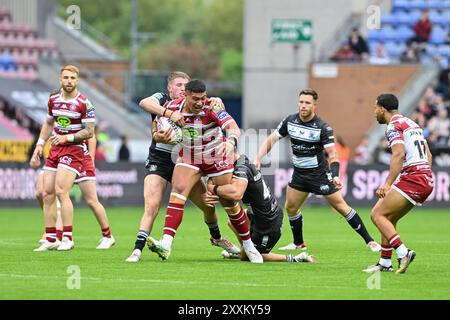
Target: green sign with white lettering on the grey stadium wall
{"points": [[291, 30]]}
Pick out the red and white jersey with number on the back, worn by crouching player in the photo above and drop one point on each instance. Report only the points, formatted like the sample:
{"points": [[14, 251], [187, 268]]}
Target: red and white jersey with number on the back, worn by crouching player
{"points": [[403, 130]]}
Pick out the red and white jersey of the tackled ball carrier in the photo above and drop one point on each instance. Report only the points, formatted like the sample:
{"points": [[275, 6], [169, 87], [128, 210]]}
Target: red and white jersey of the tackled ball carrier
{"points": [[202, 131]]}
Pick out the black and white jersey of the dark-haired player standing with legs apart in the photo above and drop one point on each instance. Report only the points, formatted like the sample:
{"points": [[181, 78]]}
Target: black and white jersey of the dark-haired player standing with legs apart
{"points": [[308, 141]]}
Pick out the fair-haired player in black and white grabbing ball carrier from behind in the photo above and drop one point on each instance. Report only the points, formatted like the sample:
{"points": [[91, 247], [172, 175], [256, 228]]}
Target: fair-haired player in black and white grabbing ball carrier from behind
{"points": [[159, 169]]}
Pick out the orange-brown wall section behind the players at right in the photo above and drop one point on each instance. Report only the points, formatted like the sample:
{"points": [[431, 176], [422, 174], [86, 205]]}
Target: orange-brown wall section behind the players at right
{"points": [[346, 101]]}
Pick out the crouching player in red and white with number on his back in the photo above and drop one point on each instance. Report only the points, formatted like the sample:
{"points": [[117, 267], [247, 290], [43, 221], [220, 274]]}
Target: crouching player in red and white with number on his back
{"points": [[411, 164]]}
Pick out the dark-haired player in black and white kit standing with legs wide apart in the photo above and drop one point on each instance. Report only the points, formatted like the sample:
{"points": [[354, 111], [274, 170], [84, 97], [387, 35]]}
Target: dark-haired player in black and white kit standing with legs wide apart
{"points": [[310, 136]]}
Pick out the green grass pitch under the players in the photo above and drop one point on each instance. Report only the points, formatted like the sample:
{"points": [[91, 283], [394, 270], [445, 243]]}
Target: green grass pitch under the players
{"points": [[196, 270]]}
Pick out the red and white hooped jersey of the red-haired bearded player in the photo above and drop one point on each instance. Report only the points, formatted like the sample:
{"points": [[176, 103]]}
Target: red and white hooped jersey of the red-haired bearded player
{"points": [[70, 115]]}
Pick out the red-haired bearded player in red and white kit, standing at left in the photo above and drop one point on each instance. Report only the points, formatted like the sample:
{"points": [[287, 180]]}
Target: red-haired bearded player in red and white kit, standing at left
{"points": [[74, 119]]}
